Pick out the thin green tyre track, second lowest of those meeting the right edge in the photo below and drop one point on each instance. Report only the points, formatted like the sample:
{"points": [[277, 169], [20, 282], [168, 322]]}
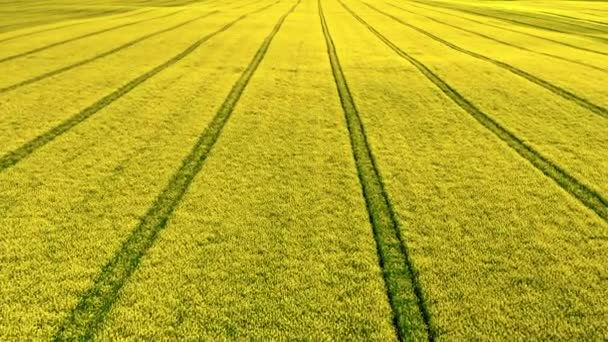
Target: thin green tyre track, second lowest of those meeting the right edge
{"points": [[561, 92]]}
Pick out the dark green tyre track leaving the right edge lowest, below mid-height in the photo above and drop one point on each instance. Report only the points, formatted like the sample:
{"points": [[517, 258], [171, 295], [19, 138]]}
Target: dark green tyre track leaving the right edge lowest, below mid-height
{"points": [[570, 184]]}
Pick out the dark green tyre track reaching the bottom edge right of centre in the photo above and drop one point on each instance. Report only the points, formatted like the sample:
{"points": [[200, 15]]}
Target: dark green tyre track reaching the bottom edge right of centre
{"points": [[411, 315]]}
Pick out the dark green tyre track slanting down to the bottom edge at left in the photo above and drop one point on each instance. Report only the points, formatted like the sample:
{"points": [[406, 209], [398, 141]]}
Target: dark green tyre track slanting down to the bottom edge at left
{"points": [[93, 306]]}
